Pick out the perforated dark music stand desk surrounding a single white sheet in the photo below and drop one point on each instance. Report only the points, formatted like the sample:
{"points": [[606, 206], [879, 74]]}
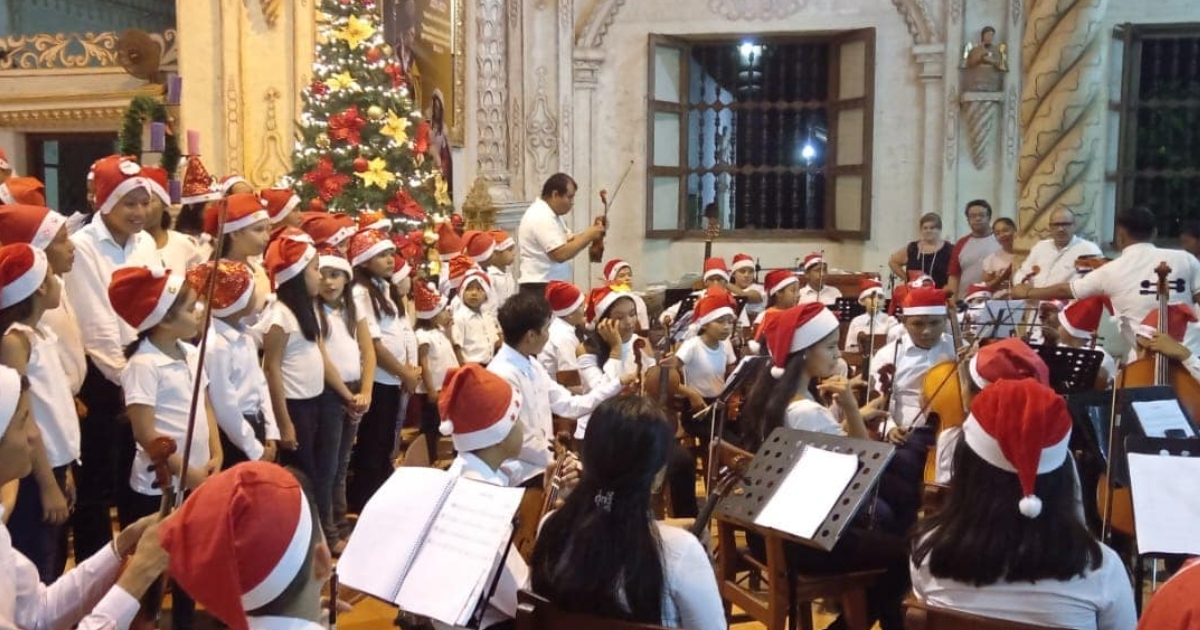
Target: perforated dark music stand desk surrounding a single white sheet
{"points": [[776, 460]]}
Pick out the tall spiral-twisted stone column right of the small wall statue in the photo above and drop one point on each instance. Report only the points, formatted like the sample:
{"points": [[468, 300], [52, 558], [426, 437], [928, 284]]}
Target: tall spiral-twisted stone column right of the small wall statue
{"points": [[1061, 116]]}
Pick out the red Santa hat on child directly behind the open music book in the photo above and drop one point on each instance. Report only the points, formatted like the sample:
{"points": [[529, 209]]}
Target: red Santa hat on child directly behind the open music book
{"points": [[478, 409]]}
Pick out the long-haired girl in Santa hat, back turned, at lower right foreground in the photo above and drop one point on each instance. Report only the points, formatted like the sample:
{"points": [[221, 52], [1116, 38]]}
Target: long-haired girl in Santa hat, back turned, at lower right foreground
{"points": [[1039, 563]]}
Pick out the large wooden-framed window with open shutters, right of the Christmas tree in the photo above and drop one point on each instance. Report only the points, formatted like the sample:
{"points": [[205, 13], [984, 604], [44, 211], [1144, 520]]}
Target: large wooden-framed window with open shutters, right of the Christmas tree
{"points": [[769, 137]]}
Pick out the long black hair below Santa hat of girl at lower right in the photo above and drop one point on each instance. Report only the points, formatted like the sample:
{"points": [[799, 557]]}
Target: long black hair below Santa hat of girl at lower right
{"points": [[981, 538]]}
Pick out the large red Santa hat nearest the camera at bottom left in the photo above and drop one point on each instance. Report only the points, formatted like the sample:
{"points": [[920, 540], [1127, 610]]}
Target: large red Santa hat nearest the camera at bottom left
{"points": [[241, 541]]}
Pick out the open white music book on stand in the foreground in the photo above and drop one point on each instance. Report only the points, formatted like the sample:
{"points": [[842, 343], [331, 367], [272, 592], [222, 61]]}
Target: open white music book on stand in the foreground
{"points": [[430, 543]]}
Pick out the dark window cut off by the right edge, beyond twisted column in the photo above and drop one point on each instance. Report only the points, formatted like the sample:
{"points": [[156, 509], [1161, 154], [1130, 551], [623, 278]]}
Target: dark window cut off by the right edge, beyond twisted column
{"points": [[1159, 123]]}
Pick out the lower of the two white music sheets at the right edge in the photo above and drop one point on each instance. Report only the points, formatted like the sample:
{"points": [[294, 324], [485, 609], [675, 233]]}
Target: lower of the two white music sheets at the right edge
{"points": [[1166, 503]]}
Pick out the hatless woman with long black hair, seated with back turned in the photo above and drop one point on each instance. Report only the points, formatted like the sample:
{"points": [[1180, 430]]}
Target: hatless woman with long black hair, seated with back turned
{"points": [[603, 554]]}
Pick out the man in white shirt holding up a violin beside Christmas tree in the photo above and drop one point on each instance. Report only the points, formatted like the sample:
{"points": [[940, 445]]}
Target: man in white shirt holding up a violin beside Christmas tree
{"points": [[547, 245]]}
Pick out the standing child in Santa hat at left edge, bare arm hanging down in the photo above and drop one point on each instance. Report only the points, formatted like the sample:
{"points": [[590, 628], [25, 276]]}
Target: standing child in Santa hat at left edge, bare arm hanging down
{"points": [[28, 290]]}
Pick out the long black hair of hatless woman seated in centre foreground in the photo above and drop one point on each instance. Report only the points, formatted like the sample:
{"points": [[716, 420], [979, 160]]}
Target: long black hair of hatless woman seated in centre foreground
{"points": [[601, 554]]}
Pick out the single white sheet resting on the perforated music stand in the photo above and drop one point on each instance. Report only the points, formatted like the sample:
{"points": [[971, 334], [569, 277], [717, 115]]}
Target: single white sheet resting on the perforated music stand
{"points": [[809, 493]]}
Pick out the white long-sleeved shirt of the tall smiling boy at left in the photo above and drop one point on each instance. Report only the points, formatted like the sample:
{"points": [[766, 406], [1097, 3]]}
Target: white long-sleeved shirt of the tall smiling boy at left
{"points": [[98, 256]]}
